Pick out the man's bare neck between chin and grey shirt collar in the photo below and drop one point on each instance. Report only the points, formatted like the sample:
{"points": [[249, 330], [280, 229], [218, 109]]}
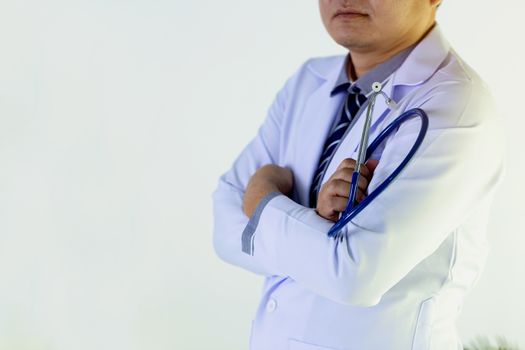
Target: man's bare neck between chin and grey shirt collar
{"points": [[363, 61]]}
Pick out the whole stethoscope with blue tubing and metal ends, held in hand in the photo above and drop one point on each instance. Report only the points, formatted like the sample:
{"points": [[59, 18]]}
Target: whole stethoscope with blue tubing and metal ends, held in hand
{"points": [[352, 209]]}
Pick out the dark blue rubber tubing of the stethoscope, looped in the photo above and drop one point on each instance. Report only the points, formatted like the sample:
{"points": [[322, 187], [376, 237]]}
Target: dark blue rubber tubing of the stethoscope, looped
{"points": [[351, 209]]}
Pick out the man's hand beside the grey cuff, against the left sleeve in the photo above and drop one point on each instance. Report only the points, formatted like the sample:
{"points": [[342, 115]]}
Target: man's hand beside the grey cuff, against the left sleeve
{"points": [[267, 179]]}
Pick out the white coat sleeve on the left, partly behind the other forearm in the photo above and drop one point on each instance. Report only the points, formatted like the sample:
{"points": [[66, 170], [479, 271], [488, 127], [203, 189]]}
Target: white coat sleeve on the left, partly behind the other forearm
{"points": [[229, 219]]}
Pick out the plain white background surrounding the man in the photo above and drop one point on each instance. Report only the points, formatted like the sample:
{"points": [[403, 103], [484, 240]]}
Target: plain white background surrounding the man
{"points": [[116, 119]]}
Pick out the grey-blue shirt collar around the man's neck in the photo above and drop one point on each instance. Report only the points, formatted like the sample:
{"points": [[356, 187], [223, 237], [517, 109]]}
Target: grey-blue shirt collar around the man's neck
{"points": [[379, 73]]}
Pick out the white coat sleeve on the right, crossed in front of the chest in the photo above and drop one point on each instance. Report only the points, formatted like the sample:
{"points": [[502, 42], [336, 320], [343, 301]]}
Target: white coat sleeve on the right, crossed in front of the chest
{"points": [[458, 166]]}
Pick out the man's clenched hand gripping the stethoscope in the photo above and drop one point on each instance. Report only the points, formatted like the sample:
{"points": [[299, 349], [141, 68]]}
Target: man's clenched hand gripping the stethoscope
{"points": [[334, 193]]}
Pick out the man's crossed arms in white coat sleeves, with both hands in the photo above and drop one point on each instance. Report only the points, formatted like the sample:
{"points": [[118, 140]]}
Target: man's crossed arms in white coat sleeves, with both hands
{"points": [[399, 229]]}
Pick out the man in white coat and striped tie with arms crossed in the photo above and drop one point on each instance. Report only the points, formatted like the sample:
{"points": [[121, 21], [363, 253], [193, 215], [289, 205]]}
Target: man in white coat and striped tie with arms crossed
{"points": [[397, 278]]}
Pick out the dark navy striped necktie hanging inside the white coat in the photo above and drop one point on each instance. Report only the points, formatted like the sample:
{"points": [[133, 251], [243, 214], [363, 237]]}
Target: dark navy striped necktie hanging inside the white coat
{"points": [[353, 102]]}
